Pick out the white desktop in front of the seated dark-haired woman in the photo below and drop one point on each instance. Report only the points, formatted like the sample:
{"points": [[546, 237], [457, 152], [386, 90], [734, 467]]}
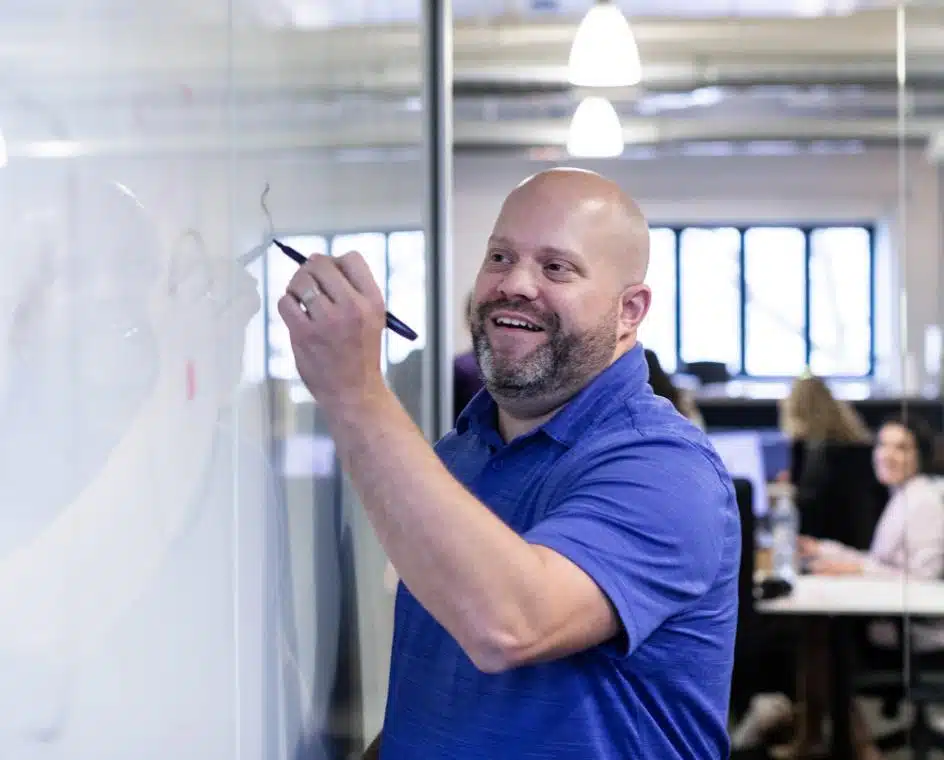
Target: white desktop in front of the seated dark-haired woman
{"points": [[819, 595]]}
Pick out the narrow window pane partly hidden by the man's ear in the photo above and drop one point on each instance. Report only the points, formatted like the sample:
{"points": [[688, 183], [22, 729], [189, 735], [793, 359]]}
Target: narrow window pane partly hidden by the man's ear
{"points": [[658, 330]]}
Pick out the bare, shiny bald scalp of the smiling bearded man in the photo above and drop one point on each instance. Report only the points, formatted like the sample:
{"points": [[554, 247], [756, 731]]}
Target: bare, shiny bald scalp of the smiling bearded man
{"points": [[599, 215]]}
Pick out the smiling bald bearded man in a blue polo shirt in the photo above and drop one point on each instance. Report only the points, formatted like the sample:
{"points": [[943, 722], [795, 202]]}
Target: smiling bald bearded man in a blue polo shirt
{"points": [[569, 553]]}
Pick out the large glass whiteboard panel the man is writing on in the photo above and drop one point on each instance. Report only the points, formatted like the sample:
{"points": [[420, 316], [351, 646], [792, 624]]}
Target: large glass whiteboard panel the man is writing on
{"points": [[183, 571]]}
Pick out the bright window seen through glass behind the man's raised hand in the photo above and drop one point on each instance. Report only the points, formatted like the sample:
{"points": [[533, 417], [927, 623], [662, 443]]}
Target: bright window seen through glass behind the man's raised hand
{"points": [[396, 259]]}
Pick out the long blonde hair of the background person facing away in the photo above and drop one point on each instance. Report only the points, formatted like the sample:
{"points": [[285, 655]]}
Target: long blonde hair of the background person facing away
{"points": [[810, 412]]}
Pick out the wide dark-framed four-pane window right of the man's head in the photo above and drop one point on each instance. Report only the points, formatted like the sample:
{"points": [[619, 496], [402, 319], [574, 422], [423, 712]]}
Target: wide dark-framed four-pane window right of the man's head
{"points": [[767, 301]]}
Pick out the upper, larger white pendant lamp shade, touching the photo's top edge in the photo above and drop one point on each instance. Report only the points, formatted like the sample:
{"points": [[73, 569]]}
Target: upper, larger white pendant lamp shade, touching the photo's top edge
{"points": [[604, 53]]}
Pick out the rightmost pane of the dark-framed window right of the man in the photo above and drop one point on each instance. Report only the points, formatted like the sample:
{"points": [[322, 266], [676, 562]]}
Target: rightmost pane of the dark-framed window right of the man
{"points": [[840, 301]]}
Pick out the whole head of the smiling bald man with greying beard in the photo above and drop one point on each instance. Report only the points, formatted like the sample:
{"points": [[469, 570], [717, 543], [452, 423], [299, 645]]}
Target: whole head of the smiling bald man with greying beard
{"points": [[560, 294]]}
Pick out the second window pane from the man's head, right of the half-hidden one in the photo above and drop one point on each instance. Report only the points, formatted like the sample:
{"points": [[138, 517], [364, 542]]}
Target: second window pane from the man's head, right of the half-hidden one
{"points": [[710, 296]]}
